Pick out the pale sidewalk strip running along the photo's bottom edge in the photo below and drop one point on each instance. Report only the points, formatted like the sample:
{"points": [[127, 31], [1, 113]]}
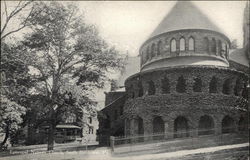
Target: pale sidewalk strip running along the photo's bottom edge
{"points": [[104, 154]]}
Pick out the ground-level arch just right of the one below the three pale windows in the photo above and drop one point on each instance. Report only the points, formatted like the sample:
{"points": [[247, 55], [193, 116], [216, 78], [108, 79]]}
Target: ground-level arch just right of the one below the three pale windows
{"points": [[206, 125]]}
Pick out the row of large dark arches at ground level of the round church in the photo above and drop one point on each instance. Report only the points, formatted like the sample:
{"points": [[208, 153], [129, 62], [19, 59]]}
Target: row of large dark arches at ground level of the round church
{"points": [[182, 126]]}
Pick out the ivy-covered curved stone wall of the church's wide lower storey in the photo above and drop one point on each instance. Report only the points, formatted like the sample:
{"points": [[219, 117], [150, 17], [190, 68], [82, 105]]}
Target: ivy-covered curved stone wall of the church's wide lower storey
{"points": [[227, 102]]}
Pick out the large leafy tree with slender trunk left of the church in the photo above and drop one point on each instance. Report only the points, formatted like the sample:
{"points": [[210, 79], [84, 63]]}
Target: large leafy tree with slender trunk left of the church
{"points": [[70, 58]]}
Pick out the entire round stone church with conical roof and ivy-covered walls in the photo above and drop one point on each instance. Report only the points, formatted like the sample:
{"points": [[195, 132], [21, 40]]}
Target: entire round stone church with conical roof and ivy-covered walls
{"points": [[189, 82]]}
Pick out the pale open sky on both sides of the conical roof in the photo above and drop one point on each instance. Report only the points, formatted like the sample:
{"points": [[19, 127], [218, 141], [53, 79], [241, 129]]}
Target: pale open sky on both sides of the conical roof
{"points": [[127, 24]]}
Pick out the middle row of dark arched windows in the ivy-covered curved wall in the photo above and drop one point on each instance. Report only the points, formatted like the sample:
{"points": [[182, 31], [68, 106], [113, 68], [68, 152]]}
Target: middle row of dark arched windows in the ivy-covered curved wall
{"points": [[215, 86]]}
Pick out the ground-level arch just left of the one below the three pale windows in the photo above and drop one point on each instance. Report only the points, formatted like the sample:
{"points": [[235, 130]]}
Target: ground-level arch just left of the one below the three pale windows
{"points": [[158, 127]]}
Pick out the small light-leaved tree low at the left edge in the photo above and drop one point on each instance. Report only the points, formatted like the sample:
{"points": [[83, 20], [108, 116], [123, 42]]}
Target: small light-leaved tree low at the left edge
{"points": [[10, 117]]}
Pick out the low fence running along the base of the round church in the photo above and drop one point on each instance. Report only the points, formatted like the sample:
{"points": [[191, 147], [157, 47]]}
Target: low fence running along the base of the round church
{"points": [[177, 140]]}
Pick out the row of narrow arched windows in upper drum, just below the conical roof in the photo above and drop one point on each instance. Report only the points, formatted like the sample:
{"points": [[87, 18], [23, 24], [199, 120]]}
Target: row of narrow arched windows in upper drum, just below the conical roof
{"points": [[212, 46]]}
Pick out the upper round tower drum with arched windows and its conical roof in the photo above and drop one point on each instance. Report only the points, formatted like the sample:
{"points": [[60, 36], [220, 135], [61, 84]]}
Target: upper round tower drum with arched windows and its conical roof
{"points": [[185, 37]]}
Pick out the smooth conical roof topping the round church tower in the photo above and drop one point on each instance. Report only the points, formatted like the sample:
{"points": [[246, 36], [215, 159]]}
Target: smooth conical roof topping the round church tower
{"points": [[184, 15]]}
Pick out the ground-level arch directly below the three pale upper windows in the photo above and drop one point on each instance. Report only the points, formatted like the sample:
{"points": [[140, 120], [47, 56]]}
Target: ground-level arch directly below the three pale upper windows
{"points": [[181, 127]]}
